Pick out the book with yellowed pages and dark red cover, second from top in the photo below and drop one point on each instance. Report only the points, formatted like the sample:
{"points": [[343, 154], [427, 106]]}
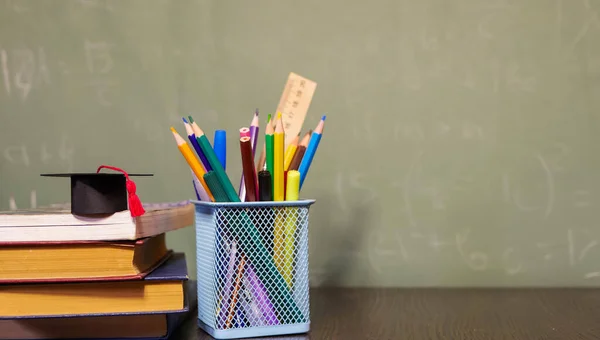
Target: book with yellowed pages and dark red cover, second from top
{"points": [[79, 261]]}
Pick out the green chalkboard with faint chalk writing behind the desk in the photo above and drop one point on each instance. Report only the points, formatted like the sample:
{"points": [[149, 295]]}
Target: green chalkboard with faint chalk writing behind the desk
{"points": [[461, 139]]}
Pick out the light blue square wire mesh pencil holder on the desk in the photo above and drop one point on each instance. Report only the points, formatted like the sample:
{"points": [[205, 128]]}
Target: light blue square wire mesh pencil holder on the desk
{"points": [[252, 268]]}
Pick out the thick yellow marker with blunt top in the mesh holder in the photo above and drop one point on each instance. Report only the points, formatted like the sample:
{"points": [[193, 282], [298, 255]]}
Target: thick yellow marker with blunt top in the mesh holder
{"points": [[292, 194]]}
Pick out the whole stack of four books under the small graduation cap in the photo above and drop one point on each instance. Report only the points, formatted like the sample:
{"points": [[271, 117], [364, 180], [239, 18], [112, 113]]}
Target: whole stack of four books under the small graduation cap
{"points": [[65, 276]]}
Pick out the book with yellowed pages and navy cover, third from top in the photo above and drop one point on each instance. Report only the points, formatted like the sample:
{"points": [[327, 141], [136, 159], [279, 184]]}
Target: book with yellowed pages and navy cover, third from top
{"points": [[160, 291]]}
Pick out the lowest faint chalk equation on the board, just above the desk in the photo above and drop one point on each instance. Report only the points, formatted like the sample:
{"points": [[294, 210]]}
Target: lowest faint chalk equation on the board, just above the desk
{"points": [[574, 249]]}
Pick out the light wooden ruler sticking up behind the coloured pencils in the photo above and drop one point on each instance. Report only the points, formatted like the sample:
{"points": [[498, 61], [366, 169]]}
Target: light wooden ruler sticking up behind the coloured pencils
{"points": [[294, 104]]}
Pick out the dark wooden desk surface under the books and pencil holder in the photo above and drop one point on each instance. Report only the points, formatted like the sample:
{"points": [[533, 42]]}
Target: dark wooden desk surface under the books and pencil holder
{"points": [[342, 313]]}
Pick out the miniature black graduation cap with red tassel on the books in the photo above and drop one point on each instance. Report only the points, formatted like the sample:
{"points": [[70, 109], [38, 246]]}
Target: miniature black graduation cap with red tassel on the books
{"points": [[103, 193]]}
